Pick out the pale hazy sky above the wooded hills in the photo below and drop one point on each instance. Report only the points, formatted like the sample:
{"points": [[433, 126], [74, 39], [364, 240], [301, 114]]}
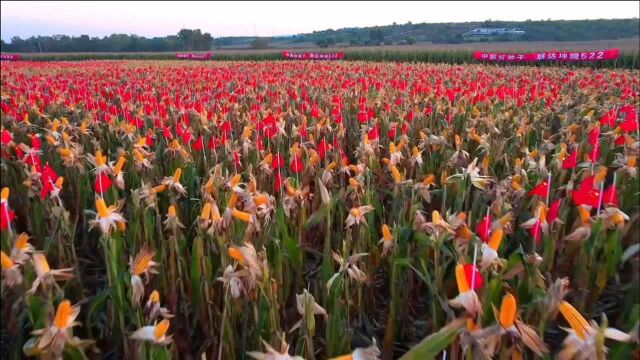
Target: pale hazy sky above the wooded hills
{"points": [[149, 19]]}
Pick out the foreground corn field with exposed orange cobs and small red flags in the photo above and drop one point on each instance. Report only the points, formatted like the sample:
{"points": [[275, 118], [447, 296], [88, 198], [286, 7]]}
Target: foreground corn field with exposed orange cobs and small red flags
{"points": [[319, 210]]}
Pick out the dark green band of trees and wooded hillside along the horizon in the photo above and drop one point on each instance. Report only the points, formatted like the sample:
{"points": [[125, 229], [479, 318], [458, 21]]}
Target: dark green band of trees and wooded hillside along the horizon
{"points": [[409, 33]]}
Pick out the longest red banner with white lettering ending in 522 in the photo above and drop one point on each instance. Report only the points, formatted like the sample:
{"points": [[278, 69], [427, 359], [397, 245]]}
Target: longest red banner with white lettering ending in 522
{"points": [[549, 56]]}
